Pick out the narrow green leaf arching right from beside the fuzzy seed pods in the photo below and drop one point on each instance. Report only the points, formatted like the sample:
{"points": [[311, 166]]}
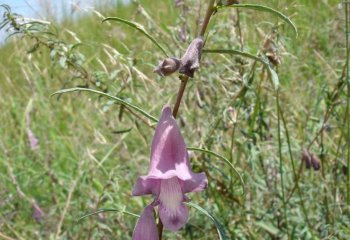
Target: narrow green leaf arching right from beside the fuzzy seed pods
{"points": [[273, 75]]}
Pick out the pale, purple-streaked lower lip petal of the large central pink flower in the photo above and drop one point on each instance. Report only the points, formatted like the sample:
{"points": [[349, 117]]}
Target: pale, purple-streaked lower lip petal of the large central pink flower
{"points": [[172, 211]]}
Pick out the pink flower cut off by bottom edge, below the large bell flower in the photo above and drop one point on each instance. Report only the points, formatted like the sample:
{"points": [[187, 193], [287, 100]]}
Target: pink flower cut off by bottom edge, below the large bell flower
{"points": [[146, 228]]}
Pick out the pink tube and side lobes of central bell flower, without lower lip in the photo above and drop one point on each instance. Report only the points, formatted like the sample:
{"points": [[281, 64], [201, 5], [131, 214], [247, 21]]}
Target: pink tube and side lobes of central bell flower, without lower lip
{"points": [[169, 158]]}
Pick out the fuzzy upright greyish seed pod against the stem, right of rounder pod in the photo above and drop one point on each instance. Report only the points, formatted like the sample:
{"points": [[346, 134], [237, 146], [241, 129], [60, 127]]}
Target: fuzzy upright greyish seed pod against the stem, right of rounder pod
{"points": [[190, 60]]}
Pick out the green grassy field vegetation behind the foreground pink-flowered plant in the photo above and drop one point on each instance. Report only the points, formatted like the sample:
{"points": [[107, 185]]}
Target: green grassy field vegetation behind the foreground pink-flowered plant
{"points": [[91, 149]]}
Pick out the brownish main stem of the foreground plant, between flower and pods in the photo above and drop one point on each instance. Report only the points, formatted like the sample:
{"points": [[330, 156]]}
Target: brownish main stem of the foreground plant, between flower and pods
{"points": [[184, 80]]}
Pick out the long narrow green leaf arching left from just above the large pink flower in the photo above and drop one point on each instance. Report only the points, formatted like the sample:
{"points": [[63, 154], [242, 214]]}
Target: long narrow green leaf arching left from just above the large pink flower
{"points": [[119, 100]]}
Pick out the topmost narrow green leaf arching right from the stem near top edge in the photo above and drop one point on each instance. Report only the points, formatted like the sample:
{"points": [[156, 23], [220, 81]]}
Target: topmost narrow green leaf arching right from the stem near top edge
{"points": [[265, 9]]}
